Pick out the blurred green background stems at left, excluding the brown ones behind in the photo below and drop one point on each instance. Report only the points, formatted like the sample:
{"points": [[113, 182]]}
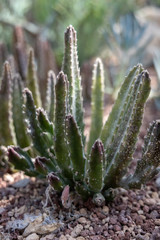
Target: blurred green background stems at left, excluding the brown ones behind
{"points": [[13, 128]]}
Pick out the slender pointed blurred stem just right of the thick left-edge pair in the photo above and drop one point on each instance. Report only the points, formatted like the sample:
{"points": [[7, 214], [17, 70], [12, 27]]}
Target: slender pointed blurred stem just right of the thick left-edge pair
{"points": [[31, 79]]}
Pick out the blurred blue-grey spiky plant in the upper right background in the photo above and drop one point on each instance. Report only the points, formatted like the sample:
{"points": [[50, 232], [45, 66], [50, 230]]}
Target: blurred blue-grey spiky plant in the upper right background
{"points": [[124, 39]]}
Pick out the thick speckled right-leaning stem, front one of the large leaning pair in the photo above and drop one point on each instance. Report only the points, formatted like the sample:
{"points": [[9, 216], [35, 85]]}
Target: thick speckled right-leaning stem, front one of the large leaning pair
{"points": [[127, 132]]}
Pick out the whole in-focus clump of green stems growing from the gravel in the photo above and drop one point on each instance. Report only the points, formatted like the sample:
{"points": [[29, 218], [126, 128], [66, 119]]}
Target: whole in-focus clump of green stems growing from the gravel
{"points": [[90, 169]]}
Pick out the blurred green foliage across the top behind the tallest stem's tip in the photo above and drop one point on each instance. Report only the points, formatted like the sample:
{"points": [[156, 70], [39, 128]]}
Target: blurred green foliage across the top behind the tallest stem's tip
{"points": [[50, 18]]}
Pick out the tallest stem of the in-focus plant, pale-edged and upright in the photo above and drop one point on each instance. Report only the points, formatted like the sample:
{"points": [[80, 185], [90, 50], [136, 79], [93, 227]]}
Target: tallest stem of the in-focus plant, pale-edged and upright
{"points": [[71, 68]]}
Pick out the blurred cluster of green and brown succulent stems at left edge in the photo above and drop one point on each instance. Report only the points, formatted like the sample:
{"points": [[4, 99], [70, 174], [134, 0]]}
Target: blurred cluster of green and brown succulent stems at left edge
{"points": [[13, 126]]}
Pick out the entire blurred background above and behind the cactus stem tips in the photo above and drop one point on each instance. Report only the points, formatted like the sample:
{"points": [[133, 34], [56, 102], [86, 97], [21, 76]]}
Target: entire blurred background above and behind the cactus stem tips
{"points": [[121, 32]]}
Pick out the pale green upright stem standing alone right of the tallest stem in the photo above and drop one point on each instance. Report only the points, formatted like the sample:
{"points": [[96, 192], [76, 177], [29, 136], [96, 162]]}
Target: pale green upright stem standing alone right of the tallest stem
{"points": [[96, 103]]}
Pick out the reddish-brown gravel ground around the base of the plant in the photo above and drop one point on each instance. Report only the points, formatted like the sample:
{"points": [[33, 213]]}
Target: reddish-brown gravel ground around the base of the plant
{"points": [[30, 210]]}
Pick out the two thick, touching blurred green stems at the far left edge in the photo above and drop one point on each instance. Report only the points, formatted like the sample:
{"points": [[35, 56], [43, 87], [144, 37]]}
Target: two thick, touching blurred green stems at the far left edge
{"points": [[12, 128]]}
